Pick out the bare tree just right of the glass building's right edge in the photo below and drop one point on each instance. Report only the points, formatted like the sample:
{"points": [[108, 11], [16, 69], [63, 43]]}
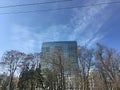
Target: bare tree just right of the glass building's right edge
{"points": [[85, 60]]}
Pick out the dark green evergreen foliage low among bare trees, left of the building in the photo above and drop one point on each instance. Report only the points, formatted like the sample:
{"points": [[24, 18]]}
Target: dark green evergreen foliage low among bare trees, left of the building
{"points": [[30, 79]]}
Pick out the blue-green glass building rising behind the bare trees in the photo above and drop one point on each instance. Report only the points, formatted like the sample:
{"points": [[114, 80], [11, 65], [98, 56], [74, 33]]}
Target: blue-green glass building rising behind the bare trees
{"points": [[67, 50]]}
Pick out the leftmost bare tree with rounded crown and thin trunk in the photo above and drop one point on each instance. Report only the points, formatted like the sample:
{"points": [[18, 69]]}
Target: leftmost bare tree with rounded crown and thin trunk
{"points": [[12, 60]]}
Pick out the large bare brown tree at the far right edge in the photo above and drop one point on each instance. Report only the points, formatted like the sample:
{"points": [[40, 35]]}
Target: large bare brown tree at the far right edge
{"points": [[107, 63]]}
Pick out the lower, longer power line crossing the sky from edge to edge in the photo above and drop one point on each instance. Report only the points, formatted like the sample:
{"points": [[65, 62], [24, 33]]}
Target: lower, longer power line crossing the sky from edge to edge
{"points": [[64, 8]]}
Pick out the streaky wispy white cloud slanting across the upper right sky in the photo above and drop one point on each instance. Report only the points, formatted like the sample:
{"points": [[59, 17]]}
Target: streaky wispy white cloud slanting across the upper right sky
{"points": [[88, 22]]}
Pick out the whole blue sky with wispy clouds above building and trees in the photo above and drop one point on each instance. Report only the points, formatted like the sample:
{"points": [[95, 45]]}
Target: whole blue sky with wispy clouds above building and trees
{"points": [[88, 25]]}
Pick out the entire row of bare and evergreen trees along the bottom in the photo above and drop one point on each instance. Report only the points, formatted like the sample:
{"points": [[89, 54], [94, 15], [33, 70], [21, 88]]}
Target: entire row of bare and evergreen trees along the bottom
{"points": [[98, 69]]}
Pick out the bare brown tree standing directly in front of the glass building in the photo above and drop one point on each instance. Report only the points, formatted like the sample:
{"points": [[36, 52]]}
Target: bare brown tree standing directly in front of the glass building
{"points": [[55, 67]]}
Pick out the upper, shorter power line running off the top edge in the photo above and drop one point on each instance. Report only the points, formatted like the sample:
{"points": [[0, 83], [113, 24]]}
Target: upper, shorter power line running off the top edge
{"points": [[30, 4]]}
